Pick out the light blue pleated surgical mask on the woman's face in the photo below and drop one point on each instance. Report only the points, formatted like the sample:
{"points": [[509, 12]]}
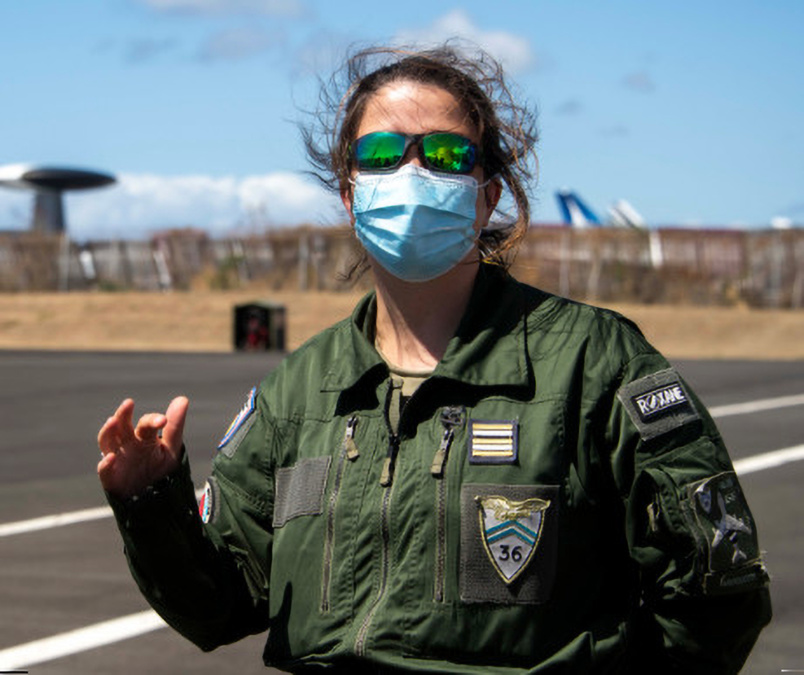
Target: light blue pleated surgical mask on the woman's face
{"points": [[415, 223]]}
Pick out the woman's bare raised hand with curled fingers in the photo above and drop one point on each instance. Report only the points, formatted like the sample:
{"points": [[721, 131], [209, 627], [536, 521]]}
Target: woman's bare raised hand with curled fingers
{"points": [[136, 457]]}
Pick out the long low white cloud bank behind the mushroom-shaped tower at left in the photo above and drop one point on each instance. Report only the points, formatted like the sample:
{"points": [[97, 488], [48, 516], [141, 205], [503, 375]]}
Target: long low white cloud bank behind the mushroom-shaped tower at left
{"points": [[140, 204]]}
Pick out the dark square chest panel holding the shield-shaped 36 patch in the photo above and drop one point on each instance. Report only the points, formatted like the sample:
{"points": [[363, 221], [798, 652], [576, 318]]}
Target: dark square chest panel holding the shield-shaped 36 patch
{"points": [[508, 543]]}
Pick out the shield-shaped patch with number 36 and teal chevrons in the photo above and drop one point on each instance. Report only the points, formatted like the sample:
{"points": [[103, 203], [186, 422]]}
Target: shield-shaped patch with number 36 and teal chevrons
{"points": [[511, 532]]}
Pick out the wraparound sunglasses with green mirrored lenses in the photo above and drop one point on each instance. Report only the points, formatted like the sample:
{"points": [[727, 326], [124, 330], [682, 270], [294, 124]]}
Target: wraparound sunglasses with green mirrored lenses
{"points": [[445, 152]]}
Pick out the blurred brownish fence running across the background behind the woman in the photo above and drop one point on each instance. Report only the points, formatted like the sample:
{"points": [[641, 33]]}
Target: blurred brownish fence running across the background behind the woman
{"points": [[667, 265]]}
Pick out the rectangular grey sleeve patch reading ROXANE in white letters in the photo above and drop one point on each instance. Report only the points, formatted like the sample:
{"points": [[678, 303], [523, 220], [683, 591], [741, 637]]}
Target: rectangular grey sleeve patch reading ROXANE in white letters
{"points": [[657, 403]]}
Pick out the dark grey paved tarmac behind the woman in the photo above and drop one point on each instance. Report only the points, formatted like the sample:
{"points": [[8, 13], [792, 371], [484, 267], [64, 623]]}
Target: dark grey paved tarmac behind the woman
{"points": [[69, 577]]}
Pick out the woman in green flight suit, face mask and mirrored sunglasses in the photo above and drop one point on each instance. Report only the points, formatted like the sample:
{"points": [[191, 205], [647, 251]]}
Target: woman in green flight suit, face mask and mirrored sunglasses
{"points": [[469, 475]]}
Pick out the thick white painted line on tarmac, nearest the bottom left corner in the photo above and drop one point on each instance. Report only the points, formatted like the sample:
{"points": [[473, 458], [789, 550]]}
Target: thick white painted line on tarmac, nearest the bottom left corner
{"points": [[80, 640]]}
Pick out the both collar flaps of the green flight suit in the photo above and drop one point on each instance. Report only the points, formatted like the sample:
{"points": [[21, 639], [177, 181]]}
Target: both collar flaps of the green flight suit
{"points": [[488, 348]]}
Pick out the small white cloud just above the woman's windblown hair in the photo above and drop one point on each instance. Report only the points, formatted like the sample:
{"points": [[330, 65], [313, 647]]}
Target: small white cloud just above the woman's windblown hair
{"points": [[513, 51]]}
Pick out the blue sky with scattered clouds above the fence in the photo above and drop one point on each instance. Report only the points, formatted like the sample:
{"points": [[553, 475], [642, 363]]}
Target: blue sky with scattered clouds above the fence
{"points": [[692, 111]]}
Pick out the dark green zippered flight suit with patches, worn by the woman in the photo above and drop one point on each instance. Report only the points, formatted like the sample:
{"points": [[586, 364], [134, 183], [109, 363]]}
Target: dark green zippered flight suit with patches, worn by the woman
{"points": [[556, 500]]}
